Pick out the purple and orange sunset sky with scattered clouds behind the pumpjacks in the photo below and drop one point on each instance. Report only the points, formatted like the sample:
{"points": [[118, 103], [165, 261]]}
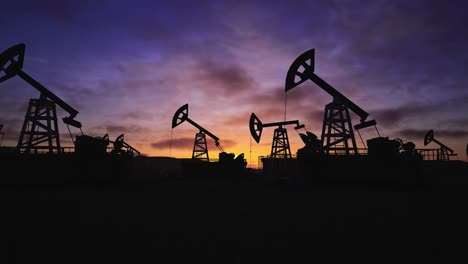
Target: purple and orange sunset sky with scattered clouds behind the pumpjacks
{"points": [[127, 66]]}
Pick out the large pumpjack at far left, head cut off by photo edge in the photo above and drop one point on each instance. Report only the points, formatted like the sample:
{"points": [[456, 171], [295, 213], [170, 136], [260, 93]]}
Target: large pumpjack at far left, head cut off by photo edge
{"points": [[40, 123]]}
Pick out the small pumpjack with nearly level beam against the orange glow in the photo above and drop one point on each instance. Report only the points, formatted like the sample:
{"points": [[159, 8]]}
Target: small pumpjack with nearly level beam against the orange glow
{"points": [[280, 146]]}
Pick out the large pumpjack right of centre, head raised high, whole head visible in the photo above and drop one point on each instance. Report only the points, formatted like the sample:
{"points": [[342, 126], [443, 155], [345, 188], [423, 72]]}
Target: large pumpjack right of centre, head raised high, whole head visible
{"points": [[337, 132]]}
